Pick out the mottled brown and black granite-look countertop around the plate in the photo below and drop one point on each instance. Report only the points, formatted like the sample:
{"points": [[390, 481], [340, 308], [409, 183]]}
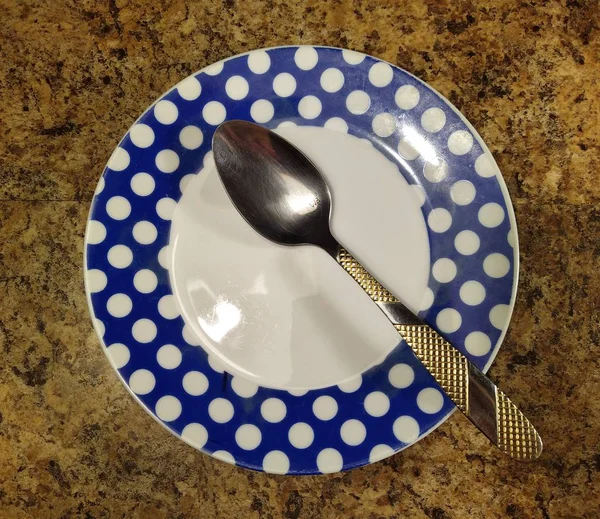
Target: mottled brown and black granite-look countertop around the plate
{"points": [[75, 75]]}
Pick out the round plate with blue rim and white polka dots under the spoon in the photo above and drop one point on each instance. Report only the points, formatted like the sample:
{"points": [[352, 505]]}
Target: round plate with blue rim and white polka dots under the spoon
{"points": [[176, 360]]}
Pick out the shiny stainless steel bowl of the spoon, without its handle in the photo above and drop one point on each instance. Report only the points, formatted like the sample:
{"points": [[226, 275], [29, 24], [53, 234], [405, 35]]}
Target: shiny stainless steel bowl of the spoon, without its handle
{"points": [[283, 198]]}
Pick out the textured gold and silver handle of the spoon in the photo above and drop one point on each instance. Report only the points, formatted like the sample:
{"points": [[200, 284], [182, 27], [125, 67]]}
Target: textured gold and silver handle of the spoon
{"points": [[488, 408]]}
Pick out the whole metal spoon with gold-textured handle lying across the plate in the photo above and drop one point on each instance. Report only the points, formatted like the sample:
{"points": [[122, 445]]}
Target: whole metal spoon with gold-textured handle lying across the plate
{"points": [[285, 198]]}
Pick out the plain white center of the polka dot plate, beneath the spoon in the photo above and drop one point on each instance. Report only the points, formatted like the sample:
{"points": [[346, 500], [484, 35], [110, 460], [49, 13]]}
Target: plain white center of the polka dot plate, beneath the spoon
{"points": [[290, 317]]}
